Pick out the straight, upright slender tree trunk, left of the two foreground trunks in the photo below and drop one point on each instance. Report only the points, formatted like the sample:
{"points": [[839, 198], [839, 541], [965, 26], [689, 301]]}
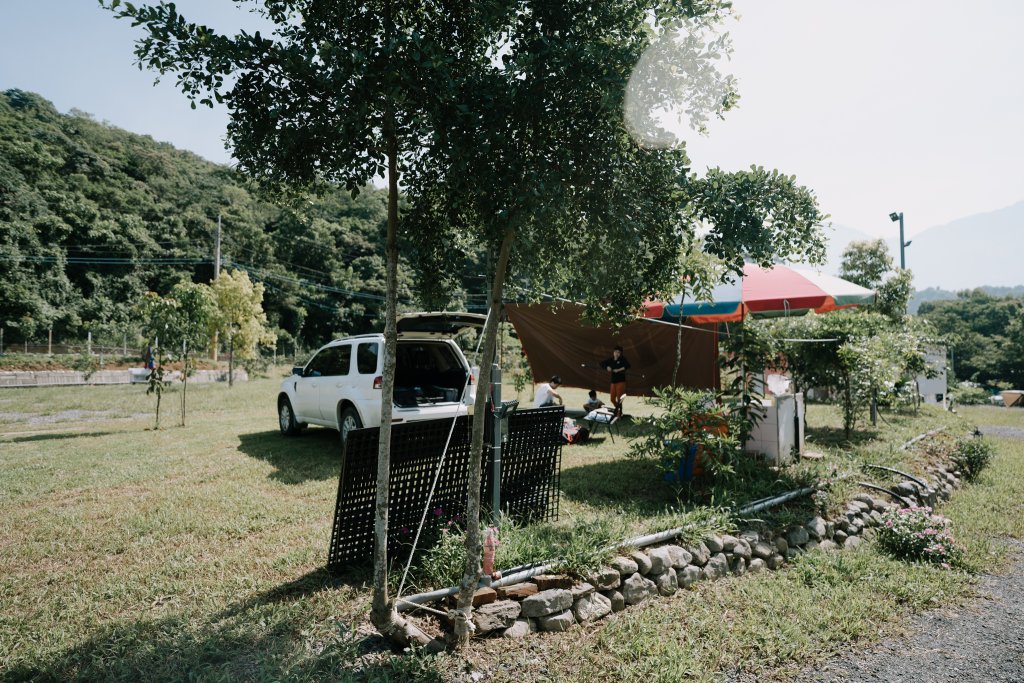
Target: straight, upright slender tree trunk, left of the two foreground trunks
{"points": [[382, 613]]}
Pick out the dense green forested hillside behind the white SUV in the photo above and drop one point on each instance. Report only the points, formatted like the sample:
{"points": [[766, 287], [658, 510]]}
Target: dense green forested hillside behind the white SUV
{"points": [[92, 218]]}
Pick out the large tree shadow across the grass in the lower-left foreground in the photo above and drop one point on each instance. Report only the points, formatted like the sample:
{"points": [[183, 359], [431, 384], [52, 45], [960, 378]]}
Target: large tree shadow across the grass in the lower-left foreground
{"points": [[266, 638]]}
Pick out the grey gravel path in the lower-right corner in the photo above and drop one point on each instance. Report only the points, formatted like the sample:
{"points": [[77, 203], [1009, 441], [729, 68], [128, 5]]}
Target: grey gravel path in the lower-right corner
{"points": [[984, 642]]}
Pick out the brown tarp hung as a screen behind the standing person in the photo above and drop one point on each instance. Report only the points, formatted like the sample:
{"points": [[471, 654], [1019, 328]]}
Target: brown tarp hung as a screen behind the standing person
{"points": [[558, 344]]}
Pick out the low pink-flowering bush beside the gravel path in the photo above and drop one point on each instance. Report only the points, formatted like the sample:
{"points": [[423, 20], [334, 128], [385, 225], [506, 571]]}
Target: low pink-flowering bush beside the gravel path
{"points": [[917, 535]]}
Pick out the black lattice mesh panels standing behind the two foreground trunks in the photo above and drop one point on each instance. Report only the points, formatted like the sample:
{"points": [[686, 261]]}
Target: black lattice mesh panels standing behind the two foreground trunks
{"points": [[531, 466]]}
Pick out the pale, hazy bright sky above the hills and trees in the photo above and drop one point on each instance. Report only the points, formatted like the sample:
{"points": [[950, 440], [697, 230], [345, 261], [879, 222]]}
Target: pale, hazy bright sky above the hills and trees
{"points": [[879, 106]]}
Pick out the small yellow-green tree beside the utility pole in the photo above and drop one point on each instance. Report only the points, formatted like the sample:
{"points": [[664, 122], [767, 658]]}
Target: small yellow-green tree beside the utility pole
{"points": [[239, 317]]}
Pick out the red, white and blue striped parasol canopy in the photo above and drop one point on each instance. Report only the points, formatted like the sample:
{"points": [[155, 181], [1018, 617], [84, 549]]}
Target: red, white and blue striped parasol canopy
{"points": [[765, 292]]}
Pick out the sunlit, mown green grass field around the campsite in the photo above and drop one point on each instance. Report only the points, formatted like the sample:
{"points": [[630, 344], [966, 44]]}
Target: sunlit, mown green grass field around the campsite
{"points": [[196, 553]]}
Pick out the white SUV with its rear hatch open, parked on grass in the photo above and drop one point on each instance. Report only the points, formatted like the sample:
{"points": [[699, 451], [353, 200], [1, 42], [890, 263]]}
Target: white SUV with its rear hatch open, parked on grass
{"points": [[340, 388]]}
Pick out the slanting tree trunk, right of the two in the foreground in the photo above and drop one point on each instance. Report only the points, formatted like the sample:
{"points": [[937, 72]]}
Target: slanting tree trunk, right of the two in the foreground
{"points": [[472, 574]]}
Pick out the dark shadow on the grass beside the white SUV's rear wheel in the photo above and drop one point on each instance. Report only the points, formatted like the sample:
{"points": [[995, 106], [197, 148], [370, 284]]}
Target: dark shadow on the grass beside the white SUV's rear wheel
{"points": [[315, 455]]}
